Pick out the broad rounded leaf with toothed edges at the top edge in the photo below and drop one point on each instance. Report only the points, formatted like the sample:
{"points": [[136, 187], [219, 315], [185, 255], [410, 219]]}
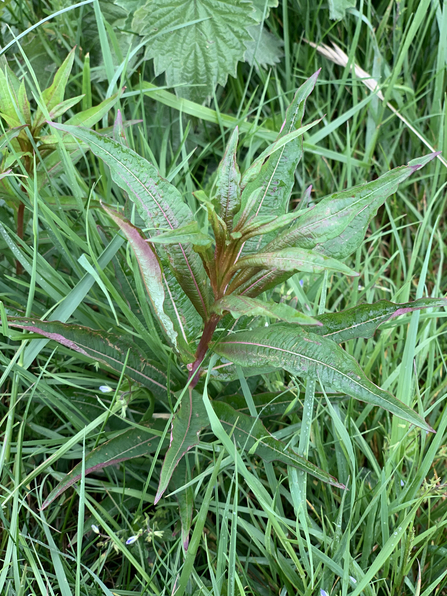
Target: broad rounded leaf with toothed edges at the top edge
{"points": [[197, 44]]}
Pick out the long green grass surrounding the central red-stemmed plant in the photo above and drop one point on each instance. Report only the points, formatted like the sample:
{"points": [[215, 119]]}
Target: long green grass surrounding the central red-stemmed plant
{"points": [[257, 527]]}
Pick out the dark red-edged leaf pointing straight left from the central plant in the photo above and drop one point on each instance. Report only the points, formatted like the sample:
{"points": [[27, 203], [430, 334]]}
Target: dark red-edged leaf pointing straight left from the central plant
{"points": [[106, 348]]}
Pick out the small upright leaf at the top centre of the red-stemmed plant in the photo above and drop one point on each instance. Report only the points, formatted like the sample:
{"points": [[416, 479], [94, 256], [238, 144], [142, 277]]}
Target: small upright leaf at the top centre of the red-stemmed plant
{"points": [[228, 179]]}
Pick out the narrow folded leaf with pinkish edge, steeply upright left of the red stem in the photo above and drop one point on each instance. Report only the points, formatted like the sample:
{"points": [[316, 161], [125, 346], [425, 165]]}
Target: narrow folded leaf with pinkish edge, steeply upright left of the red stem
{"points": [[150, 270]]}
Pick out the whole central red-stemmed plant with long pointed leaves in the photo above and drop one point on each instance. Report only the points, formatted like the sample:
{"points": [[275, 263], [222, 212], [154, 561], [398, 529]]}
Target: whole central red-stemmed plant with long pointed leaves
{"points": [[198, 276]]}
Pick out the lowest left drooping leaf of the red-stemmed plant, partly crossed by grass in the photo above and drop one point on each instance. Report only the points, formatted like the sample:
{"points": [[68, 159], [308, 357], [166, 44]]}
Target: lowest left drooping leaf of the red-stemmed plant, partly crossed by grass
{"points": [[135, 442]]}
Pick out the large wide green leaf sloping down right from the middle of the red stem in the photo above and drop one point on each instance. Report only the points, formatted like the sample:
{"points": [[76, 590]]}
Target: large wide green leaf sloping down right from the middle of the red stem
{"points": [[308, 355]]}
